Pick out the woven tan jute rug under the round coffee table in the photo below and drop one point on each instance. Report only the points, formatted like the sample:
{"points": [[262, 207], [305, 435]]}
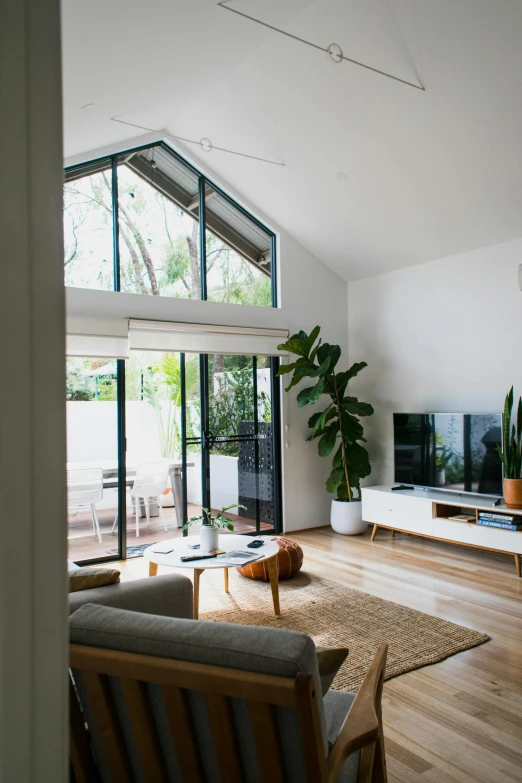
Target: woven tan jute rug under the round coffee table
{"points": [[333, 614]]}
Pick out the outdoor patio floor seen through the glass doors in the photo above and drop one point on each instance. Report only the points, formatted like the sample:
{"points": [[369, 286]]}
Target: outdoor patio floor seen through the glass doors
{"points": [[84, 544]]}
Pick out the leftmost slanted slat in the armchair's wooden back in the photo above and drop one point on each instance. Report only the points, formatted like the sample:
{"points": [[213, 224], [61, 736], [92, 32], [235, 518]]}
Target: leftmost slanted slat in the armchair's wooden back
{"points": [[107, 725]]}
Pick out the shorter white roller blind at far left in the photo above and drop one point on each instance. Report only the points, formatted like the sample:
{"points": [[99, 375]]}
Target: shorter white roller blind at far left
{"points": [[97, 338]]}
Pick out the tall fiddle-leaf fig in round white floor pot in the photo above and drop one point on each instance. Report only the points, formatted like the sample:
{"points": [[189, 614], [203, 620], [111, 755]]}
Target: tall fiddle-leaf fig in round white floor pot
{"points": [[337, 426]]}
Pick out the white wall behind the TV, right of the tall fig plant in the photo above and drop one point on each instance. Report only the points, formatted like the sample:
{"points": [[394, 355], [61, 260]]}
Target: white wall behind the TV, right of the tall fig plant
{"points": [[443, 336]]}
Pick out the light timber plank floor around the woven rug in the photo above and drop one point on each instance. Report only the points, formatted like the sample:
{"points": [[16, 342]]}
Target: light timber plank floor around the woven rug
{"points": [[459, 720]]}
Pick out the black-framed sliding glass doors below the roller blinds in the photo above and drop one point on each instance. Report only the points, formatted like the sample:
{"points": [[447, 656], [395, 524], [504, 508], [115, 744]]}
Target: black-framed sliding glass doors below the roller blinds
{"points": [[154, 438]]}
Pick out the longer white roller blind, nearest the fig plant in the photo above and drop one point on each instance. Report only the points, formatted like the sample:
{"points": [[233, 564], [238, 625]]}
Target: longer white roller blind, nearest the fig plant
{"points": [[205, 338]]}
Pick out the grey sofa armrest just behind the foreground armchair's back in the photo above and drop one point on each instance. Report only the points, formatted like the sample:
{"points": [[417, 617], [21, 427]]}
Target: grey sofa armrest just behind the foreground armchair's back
{"points": [[169, 595]]}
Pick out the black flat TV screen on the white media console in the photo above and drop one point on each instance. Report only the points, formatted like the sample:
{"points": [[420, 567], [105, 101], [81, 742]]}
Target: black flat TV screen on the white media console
{"points": [[452, 451]]}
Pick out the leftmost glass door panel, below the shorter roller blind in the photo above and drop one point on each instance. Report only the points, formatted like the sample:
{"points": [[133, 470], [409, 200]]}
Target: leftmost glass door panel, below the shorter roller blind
{"points": [[92, 458]]}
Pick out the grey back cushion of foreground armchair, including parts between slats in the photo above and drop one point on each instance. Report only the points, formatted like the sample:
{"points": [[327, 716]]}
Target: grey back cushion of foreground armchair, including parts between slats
{"points": [[248, 648]]}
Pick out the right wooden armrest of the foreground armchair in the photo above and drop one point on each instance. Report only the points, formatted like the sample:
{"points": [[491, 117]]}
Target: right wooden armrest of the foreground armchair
{"points": [[362, 725]]}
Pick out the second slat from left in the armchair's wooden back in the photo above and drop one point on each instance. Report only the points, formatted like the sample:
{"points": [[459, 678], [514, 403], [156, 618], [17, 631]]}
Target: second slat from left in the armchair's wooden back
{"points": [[144, 729]]}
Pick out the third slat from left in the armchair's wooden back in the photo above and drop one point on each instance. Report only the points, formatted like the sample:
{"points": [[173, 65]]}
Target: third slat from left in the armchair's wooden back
{"points": [[182, 730]]}
